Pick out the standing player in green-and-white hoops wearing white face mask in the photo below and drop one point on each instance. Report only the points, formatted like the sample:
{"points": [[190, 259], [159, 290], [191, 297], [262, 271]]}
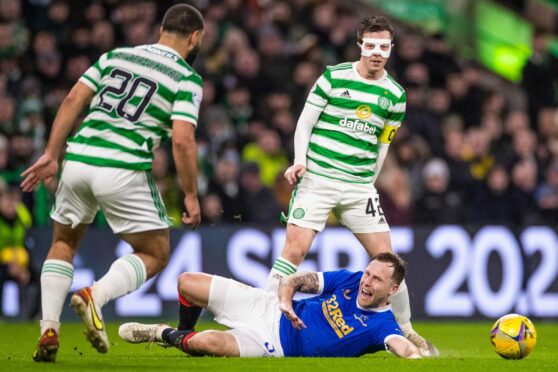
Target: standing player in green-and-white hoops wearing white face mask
{"points": [[341, 140]]}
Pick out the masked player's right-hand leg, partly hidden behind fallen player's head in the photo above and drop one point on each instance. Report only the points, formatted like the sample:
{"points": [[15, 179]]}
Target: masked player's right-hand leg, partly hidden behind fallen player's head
{"points": [[379, 242]]}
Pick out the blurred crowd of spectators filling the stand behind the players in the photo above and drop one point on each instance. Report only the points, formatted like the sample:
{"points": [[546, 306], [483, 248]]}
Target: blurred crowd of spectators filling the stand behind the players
{"points": [[467, 152]]}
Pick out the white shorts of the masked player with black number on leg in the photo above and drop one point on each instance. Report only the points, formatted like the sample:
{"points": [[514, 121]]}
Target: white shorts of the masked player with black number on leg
{"points": [[356, 205]]}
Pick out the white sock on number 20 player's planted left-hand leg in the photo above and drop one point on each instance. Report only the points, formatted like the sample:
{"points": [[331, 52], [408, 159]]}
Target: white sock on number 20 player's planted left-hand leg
{"points": [[56, 279]]}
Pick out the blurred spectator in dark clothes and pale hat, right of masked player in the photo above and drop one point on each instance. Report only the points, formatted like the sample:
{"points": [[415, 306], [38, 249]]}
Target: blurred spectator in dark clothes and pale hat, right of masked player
{"points": [[438, 204]]}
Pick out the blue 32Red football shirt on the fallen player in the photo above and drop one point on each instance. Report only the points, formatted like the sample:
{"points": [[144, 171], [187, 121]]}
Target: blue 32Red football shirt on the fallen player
{"points": [[336, 325]]}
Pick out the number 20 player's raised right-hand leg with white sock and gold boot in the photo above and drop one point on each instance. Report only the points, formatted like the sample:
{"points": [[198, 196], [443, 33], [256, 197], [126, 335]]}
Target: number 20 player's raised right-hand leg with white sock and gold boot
{"points": [[126, 274]]}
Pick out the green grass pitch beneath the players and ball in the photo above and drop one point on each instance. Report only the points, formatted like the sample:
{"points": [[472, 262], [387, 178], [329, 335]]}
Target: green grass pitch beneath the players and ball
{"points": [[464, 346]]}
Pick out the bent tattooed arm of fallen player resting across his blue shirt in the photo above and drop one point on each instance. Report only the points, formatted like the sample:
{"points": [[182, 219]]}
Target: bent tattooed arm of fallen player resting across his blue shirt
{"points": [[288, 286]]}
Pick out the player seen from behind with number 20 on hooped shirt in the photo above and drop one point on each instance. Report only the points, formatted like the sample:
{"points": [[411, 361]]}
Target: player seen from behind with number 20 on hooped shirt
{"points": [[136, 98]]}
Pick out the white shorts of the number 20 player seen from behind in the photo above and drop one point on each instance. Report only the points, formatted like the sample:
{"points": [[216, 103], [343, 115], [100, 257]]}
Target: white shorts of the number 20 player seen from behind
{"points": [[129, 199]]}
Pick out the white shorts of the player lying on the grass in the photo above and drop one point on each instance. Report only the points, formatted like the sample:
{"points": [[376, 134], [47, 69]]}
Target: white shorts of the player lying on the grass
{"points": [[252, 313]]}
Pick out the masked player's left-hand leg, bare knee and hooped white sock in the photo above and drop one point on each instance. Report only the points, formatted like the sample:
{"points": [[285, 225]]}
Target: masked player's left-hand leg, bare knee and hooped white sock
{"points": [[297, 244]]}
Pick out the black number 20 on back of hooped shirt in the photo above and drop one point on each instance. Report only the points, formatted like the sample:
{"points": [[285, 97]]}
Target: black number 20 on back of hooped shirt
{"points": [[125, 77]]}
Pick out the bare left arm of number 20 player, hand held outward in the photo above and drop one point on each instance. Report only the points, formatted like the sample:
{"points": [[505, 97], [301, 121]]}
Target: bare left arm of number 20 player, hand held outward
{"points": [[46, 167]]}
